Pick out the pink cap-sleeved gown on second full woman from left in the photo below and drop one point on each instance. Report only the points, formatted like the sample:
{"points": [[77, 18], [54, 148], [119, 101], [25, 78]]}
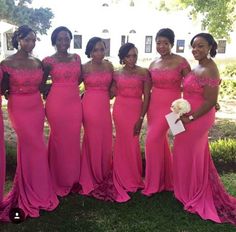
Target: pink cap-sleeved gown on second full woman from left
{"points": [[64, 114]]}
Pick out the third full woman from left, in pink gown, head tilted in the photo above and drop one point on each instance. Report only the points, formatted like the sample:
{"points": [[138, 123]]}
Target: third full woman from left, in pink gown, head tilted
{"points": [[96, 166]]}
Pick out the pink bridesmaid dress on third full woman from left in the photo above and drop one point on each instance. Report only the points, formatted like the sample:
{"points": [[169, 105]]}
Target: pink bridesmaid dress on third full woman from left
{"points": [[97, 140]]}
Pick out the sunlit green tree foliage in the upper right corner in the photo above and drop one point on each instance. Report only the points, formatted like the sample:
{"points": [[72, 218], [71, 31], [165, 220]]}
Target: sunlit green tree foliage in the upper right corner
{"points": [[218, 16]]}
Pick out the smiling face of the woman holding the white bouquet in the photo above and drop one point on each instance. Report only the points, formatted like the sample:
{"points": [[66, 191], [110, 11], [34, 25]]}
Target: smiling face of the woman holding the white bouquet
{"points": [[200, 48]]}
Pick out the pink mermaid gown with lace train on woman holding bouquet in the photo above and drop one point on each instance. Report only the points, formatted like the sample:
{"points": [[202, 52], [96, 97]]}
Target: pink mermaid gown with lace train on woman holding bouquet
{"points": [[196, 181]]}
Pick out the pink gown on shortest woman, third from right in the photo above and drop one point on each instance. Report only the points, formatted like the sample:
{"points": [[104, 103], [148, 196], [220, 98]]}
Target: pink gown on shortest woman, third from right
{"points": [[126, 112]]}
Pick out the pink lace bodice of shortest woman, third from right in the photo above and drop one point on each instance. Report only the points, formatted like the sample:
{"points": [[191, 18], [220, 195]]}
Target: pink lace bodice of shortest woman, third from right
{"points": [[130, 85]]}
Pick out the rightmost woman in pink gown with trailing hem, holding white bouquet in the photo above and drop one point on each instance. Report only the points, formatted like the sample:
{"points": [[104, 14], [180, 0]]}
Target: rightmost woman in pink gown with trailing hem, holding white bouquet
{"points": [[196, 181]]}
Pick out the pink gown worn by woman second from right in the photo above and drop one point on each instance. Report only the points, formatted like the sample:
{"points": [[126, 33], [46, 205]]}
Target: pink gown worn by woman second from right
{"points": [[166, 88]]}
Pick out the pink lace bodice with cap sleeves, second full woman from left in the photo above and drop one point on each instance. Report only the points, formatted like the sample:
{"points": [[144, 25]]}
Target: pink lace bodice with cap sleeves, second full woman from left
{"points": [[64, 72]]}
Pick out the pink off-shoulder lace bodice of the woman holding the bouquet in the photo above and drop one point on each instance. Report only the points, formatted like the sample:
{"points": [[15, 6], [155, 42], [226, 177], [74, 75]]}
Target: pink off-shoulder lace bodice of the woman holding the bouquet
{"points": [[193, 84]]}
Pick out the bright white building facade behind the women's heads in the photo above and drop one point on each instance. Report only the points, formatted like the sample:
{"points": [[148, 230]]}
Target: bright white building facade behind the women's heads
{"points": [[120, 21]]}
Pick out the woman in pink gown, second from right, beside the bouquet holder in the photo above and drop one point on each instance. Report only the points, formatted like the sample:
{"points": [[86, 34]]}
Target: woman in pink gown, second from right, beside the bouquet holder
{"points": [[167, 73]]}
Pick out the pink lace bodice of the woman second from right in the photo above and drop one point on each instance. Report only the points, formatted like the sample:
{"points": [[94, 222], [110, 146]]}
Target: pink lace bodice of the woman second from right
{"points": [[168, 78]]}
